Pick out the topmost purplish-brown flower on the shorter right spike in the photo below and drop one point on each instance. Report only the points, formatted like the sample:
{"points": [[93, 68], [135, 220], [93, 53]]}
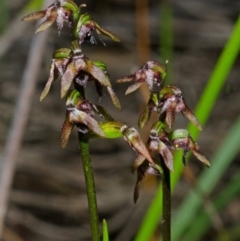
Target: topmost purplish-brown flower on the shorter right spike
{"points": [[152, 73]]}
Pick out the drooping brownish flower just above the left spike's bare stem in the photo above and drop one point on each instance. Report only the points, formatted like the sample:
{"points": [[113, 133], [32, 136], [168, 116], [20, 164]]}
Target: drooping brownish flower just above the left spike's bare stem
{"points": [[80, 113]]}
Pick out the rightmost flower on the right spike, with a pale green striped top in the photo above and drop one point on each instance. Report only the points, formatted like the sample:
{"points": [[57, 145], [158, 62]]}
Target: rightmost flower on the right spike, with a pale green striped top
{"points": [[182, 140]]}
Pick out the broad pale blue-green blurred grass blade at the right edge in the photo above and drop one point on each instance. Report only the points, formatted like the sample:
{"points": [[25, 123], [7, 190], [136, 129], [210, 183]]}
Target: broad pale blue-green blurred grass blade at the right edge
{"points": [[207, 181]]}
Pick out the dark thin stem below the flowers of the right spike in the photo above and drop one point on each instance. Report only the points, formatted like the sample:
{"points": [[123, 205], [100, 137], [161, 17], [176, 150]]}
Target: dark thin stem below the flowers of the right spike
{"points": [[166, 202]]}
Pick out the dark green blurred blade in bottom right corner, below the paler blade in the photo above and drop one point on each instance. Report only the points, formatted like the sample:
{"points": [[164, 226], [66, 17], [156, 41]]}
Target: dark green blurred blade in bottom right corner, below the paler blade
{"points": [[203, 222]]}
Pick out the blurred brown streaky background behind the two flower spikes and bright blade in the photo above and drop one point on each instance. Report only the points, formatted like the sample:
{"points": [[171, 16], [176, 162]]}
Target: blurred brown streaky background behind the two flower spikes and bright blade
{"points": [[46, 199]]}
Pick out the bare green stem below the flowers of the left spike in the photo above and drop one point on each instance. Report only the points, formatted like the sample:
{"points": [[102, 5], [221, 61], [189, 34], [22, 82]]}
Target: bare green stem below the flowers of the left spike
{"points": [[90, 186]]}
